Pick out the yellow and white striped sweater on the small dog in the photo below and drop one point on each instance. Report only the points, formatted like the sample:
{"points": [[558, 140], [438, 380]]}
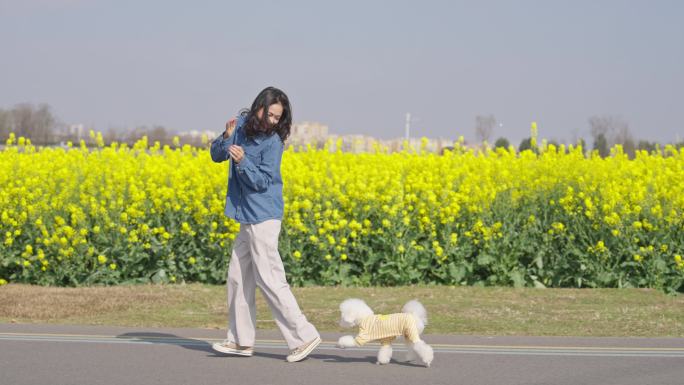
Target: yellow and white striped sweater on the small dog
{"points": [[385, 328]]}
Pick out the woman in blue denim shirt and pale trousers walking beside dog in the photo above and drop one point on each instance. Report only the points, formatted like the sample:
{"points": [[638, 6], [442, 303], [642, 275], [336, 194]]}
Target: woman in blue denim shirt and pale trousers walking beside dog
{"points": [[254, 141]]}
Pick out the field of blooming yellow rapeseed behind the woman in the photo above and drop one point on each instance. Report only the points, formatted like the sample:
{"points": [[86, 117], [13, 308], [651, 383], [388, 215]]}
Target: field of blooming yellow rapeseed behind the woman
{"points": [[553, 217]]}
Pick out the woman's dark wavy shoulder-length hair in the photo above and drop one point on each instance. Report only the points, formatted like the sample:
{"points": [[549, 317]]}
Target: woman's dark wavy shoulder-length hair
{"points": [[255, 126]]}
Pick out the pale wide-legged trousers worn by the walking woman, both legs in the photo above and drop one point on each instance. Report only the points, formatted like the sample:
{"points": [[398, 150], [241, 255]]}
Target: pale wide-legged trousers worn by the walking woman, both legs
{"points": [[255, 261]]}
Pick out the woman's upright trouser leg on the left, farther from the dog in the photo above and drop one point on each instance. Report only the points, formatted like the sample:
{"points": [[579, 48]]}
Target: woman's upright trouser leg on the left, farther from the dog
{"points": [[241, 288]]}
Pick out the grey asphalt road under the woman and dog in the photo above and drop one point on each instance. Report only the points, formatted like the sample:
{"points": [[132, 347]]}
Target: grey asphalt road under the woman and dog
{"points": [[74, 355]]}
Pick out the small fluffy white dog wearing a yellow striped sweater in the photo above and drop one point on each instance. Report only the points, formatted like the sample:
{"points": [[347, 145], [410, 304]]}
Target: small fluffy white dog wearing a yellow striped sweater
{"points": [[410, 323]]}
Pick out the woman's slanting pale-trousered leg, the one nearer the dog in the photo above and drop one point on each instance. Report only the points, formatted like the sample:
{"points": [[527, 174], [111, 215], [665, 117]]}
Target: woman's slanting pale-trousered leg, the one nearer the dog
{"points": [[270, 277]]}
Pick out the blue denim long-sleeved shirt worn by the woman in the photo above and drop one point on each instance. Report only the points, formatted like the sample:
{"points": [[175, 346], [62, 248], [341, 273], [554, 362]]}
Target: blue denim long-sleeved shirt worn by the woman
{"points": [[255, 186]]}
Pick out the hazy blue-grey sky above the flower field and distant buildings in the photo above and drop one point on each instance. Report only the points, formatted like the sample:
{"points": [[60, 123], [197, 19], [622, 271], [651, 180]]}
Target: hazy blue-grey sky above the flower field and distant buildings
{"points": [[356, 66]]}
